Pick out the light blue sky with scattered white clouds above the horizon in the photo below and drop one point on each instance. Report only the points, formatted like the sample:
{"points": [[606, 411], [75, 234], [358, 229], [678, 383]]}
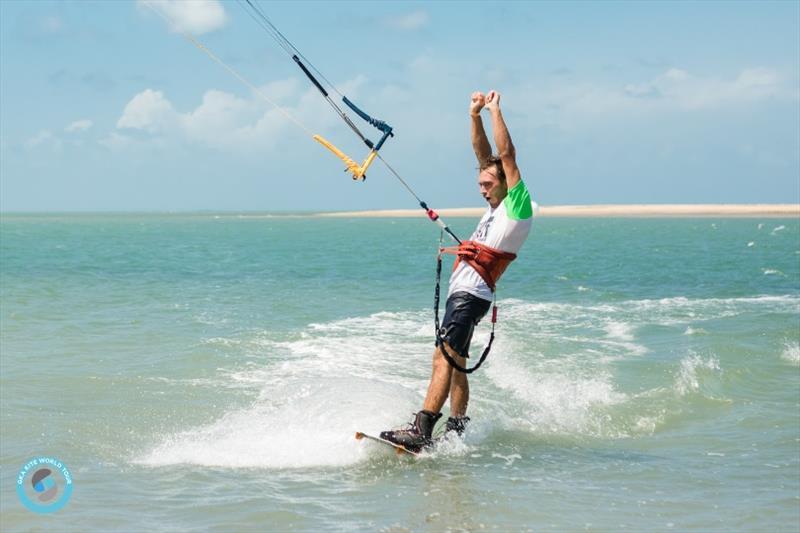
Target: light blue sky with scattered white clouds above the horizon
{"points": [[106, 106]]}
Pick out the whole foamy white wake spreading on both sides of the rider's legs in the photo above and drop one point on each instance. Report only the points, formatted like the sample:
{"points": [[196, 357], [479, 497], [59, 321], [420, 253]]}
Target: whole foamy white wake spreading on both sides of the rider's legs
{"points": [[554, 372]]}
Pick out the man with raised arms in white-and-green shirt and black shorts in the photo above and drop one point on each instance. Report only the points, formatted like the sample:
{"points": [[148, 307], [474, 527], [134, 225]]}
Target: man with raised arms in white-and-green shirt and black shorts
{"points": [[500, 234]]}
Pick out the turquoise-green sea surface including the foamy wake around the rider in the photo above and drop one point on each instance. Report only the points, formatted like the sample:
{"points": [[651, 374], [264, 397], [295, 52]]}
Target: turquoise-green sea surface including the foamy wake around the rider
{"points": [[207, 373]]}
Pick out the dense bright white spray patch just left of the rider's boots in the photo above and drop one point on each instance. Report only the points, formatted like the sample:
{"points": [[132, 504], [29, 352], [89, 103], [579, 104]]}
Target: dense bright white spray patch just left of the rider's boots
{"points": [[302, 425]]}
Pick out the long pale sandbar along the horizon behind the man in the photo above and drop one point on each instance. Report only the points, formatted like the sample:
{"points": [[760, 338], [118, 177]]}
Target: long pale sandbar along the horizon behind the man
{"points": [[610, 210]]}
